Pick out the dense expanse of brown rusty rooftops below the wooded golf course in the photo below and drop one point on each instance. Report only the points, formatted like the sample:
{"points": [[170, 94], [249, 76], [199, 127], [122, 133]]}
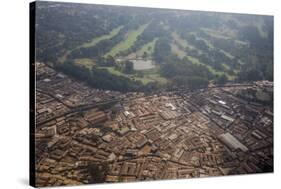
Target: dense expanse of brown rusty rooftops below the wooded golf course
{"points": [[169, 135]]}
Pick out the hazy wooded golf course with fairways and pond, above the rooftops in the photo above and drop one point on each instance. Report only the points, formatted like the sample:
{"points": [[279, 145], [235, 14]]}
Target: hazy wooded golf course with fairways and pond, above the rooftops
{"points": [[151, 49]]}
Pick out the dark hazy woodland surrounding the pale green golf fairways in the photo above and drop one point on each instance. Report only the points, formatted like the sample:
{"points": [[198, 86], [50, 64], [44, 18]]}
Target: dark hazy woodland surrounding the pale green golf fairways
{"points": [[65, 27]]}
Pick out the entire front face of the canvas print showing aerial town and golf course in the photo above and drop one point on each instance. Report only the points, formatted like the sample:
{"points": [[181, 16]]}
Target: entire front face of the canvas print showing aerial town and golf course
{"points": [[134, 94]]}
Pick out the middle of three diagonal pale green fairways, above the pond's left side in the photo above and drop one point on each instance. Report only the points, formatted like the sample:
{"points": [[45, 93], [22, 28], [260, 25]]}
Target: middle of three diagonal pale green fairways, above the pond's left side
{"points": [[130, 38]]}
